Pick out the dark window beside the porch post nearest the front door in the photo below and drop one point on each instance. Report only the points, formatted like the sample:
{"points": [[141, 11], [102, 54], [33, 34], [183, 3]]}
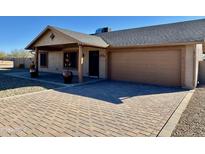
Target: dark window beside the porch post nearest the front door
{"points": [[70, 60]]}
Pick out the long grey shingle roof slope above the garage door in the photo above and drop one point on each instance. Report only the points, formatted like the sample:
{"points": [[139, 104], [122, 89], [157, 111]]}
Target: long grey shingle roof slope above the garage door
{"points": [[181, 32]]}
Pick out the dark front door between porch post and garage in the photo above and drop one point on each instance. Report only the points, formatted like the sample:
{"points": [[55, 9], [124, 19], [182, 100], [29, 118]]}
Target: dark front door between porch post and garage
{"points": [[94, 63]]}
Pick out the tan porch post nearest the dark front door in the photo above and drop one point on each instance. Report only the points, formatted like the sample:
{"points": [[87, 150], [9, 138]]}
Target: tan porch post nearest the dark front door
{"points": [[80, 64]]}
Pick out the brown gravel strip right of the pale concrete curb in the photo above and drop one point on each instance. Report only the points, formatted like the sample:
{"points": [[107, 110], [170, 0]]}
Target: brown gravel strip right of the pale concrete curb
{"points": [[192, 121]]}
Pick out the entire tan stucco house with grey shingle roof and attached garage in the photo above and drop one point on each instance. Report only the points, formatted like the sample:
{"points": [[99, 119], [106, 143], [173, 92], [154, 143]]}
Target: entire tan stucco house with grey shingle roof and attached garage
{"points": [[162, 55]]}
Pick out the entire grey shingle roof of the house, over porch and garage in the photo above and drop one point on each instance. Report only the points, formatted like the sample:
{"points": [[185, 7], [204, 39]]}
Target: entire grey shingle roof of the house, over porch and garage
{"points": [[181, 32]]}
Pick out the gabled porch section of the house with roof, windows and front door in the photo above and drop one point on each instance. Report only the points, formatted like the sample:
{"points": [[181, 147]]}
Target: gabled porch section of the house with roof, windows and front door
{"points": [[58, 49]]}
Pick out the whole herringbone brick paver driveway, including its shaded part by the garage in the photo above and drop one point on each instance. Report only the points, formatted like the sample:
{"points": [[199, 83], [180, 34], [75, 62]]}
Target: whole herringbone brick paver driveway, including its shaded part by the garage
{"points": [[101, 109]]}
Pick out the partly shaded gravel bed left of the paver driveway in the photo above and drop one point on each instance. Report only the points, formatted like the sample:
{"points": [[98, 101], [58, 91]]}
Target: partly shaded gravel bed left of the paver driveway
{"points": [[10, 86]]}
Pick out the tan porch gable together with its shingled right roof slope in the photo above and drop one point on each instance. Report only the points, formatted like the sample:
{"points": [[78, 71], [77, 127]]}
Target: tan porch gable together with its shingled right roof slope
{"points": [[56, 36]]}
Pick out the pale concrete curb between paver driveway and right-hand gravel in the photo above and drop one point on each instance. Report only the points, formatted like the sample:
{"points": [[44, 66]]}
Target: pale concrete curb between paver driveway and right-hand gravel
{"points": [[174, 119]]}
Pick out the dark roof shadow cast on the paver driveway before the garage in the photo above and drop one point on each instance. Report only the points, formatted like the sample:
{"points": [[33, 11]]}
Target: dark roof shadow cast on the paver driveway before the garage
{"points": [[115, 92]]}
